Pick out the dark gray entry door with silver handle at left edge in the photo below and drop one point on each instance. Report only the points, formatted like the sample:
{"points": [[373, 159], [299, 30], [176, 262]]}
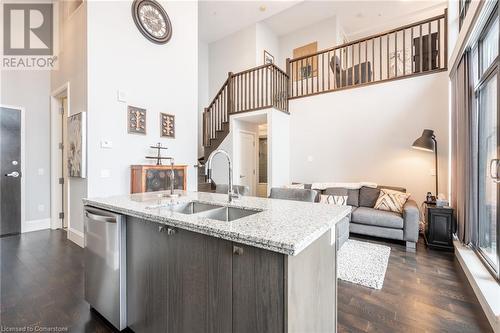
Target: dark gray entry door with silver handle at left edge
{"points": [[10, 165]]}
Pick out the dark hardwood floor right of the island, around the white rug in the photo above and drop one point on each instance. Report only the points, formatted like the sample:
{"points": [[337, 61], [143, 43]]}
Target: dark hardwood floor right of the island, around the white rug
{"points": [[425, 291]]}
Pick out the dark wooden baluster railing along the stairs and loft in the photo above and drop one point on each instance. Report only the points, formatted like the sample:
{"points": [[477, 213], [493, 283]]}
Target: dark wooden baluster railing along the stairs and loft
{"points": [[415, 49]]}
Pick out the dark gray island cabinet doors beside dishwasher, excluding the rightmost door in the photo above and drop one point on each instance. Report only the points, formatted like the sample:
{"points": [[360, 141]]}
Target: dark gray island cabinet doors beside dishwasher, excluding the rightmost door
{"points": [[167, 275]]}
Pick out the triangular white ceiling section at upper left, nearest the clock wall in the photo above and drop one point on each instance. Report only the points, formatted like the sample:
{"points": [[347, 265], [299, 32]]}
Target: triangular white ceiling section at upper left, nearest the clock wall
{"points": [[218, 19]]}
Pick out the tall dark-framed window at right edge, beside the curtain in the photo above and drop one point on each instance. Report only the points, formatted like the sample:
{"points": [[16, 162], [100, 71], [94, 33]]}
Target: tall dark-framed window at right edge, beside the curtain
{"points": [[485, 69]]}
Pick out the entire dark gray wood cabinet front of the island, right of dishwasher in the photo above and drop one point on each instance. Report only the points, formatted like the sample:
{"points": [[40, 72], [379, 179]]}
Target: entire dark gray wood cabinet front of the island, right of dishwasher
{"points": [[180, 281]]}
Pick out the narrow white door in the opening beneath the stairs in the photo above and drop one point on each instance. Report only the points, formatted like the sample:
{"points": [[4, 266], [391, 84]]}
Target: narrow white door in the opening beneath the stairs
{"points": [[247, 160]]}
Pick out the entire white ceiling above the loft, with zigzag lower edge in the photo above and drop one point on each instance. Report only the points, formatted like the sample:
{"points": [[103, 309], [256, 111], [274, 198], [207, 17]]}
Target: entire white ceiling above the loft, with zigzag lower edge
{"points": [[218, 19]]}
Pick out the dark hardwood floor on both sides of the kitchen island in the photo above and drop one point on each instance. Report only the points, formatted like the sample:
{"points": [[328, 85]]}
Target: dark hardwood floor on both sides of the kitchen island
{"points": [[41, 284]]}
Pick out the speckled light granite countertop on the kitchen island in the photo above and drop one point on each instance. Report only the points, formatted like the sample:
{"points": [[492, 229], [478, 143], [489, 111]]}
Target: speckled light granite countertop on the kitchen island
{"points": [[282, 226]]}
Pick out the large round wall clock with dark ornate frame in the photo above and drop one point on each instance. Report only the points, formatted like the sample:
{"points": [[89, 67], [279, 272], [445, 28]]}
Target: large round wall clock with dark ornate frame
{"points": [[152, 20]]}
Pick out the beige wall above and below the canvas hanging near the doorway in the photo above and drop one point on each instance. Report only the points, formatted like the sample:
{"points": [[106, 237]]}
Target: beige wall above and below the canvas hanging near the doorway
{"points": [[73, 69]]}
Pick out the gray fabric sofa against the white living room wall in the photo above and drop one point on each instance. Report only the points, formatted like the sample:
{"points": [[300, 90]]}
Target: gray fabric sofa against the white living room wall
{"points": [[366, 220]]}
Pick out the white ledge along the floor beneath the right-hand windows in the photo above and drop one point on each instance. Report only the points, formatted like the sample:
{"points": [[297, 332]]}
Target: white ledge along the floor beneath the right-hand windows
{"points": [[484, 285]]}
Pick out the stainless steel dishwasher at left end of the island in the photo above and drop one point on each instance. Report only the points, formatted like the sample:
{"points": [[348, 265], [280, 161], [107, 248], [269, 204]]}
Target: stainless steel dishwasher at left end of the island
{"points": [[105, 264]]}
